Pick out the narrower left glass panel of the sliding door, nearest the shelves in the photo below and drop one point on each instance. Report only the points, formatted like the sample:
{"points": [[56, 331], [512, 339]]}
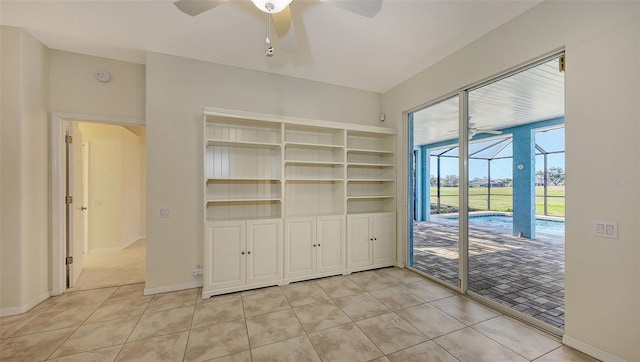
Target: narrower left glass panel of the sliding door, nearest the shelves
{"points": [[436, 196]]}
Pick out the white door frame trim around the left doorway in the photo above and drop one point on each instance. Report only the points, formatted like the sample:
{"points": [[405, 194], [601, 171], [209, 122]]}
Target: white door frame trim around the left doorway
{"points": [[58, 188]]}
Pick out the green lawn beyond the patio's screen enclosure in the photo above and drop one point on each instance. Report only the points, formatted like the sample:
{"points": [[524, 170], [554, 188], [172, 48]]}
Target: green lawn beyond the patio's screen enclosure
{"points": [[501, 199]]}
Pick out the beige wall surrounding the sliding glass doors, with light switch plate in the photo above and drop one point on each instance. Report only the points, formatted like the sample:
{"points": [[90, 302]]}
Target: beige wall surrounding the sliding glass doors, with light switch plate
{"points": [[602, 41]]}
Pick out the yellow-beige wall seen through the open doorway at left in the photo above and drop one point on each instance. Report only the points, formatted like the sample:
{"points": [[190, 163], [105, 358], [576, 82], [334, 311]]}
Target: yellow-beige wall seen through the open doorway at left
{"points": [[115, 193]]}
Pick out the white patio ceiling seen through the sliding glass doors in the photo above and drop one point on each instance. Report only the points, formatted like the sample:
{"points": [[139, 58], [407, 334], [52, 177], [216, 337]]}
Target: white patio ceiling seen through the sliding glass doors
{"points": [[532, 95]]}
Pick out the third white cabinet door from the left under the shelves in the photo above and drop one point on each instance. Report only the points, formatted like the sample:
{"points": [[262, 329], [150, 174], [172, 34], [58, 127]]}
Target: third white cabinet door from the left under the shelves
{"points": [[300, 247]]}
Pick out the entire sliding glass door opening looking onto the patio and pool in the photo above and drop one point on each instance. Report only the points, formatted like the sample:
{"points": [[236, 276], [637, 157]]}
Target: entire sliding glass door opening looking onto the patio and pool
{"points": [[489, 207]]}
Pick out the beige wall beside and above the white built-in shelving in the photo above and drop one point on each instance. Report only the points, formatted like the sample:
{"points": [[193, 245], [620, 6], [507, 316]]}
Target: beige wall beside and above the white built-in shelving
{"points": [[177, 89]]}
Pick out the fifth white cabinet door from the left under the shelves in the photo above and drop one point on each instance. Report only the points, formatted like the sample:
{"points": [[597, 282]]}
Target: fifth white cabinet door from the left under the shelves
{"points": [[359, 230]]}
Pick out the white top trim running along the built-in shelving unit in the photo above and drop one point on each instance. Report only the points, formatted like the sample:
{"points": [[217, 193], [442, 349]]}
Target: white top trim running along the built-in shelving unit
{"points": [[360, 130]]}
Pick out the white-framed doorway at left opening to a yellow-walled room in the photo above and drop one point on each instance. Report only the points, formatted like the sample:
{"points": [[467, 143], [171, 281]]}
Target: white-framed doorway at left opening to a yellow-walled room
{"points": [[99, 202]]}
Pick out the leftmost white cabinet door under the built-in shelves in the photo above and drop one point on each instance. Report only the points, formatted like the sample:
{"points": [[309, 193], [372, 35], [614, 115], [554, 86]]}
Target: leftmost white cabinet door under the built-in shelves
{"points": [[225, 261]]}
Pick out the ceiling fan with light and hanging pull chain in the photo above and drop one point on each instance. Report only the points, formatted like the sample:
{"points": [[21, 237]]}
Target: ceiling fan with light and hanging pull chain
{"points": [[279, 12]]}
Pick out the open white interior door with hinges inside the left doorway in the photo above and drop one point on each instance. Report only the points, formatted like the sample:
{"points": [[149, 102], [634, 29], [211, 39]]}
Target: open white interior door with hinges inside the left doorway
{"points": [[75, 209]]}
